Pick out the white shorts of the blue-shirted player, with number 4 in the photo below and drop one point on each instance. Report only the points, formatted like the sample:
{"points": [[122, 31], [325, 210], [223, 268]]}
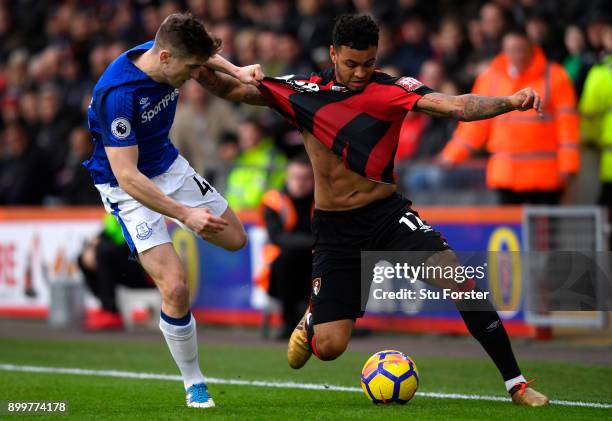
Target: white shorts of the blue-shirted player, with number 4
{"points": [[144, 228]]}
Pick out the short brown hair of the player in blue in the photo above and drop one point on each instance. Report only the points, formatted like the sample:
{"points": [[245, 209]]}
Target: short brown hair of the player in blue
{"points": [[186, 36]]}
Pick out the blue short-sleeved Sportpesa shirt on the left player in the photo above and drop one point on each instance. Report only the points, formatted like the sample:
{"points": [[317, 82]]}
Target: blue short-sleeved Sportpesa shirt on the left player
{"points": [[129, 108]]}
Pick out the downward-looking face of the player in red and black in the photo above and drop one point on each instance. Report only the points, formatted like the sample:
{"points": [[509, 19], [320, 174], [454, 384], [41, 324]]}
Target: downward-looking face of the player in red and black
{"points": [[353, 68]]}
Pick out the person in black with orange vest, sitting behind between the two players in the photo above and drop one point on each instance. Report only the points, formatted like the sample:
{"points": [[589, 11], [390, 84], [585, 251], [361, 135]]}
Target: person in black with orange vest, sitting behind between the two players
{"points": [[287, 257]]}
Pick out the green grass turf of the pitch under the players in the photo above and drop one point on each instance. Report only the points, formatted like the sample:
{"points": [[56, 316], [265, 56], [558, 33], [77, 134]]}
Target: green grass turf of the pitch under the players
{"points": [[114, 398]]}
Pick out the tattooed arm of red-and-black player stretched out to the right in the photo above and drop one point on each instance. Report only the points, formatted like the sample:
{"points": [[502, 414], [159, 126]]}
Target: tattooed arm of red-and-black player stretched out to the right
{"points": [[472, 107]]}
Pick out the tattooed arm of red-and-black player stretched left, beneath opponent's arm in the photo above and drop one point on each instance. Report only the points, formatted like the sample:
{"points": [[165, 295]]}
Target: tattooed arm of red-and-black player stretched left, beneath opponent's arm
{"points": [[229, 88]]}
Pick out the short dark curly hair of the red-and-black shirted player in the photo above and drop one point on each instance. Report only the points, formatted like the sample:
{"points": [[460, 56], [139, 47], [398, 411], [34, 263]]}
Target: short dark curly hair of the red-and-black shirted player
{"points": [[359, 32]]}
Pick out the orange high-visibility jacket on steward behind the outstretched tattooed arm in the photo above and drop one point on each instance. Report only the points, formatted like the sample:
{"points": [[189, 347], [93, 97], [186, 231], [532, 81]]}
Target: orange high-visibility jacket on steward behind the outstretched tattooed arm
{"points": [[528, 151]]}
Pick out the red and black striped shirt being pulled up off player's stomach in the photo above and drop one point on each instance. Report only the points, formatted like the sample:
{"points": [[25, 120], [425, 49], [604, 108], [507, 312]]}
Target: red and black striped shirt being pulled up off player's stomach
{"points": [[360, 127]]}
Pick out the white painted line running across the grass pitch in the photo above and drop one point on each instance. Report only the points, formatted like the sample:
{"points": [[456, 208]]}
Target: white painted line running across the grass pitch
{"points": [[264, 383]]}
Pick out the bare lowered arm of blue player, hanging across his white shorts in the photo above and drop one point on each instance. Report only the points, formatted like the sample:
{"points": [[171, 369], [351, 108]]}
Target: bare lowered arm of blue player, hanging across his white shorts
{"points": [[123, 160]]}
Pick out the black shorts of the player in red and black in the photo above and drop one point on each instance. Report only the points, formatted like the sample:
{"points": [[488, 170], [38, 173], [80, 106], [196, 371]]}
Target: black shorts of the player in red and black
{"points": [[339, 238]]}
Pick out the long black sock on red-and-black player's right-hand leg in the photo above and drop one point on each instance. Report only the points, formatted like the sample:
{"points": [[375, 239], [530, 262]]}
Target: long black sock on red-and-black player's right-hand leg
{"points": [[486, 327]]}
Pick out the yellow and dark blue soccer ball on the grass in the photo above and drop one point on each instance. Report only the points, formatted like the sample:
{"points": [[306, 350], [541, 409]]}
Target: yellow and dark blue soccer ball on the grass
{"points": [[389, 377]]}
